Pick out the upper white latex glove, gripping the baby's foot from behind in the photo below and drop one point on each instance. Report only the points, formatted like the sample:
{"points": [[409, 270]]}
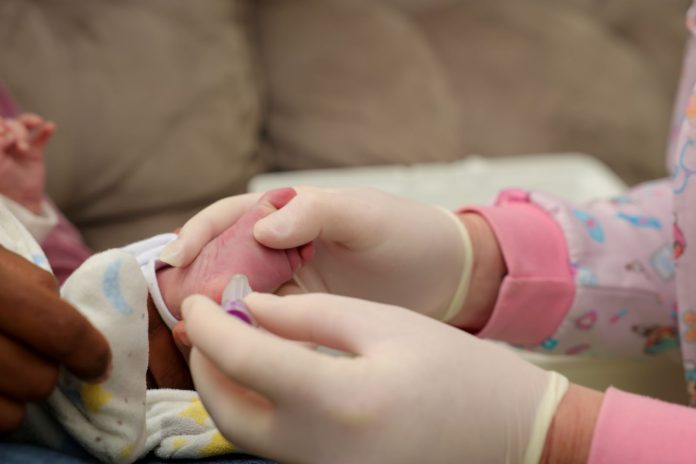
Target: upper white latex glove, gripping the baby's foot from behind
{"points": [[368, 244]]}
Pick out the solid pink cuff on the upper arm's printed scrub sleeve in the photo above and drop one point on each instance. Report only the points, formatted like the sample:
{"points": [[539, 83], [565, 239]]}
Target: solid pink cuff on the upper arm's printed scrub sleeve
{"points": [[538, 289]]}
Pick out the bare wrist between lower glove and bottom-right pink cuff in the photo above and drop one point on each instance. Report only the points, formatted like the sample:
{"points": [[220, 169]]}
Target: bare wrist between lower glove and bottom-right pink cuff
{"points": [[569, 438]]}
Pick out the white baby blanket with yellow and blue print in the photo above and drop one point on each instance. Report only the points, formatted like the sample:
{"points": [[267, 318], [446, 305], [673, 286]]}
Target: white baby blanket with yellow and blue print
{"points": [[118, 420]]}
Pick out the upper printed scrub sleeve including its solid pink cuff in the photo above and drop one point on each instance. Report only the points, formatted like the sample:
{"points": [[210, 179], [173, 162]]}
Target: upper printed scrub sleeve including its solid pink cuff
{"points": [[593, 279]]}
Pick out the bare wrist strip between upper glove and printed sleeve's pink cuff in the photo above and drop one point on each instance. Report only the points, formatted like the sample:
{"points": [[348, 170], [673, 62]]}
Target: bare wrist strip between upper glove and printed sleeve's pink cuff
{"points": [[486, 277]]}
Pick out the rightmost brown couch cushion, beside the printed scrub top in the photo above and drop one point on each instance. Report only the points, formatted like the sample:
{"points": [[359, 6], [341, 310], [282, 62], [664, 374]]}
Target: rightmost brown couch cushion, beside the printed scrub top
{"points": [[577, 75]]}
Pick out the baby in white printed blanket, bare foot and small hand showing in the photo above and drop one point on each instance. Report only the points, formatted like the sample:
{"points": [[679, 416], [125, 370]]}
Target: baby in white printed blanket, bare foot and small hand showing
{"points": [[136, 410]]}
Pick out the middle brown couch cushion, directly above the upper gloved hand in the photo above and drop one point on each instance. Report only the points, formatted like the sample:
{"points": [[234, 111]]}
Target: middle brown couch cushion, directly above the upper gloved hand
{"points": [[351, 83]]}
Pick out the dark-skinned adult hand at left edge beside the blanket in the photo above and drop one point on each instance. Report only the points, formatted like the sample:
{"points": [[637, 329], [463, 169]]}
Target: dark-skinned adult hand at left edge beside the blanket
{"points": [[39, 332]]}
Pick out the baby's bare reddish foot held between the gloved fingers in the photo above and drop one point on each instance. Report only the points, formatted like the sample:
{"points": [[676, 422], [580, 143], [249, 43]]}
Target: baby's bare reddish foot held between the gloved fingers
{"points": [[235, 251]]}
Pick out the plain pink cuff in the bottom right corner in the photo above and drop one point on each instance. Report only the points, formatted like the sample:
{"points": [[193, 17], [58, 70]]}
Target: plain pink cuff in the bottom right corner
{"points": [[637, 429]]}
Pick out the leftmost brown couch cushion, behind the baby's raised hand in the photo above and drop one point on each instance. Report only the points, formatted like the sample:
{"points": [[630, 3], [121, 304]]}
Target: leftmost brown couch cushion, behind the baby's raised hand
{"points": [[156, 105]]}
